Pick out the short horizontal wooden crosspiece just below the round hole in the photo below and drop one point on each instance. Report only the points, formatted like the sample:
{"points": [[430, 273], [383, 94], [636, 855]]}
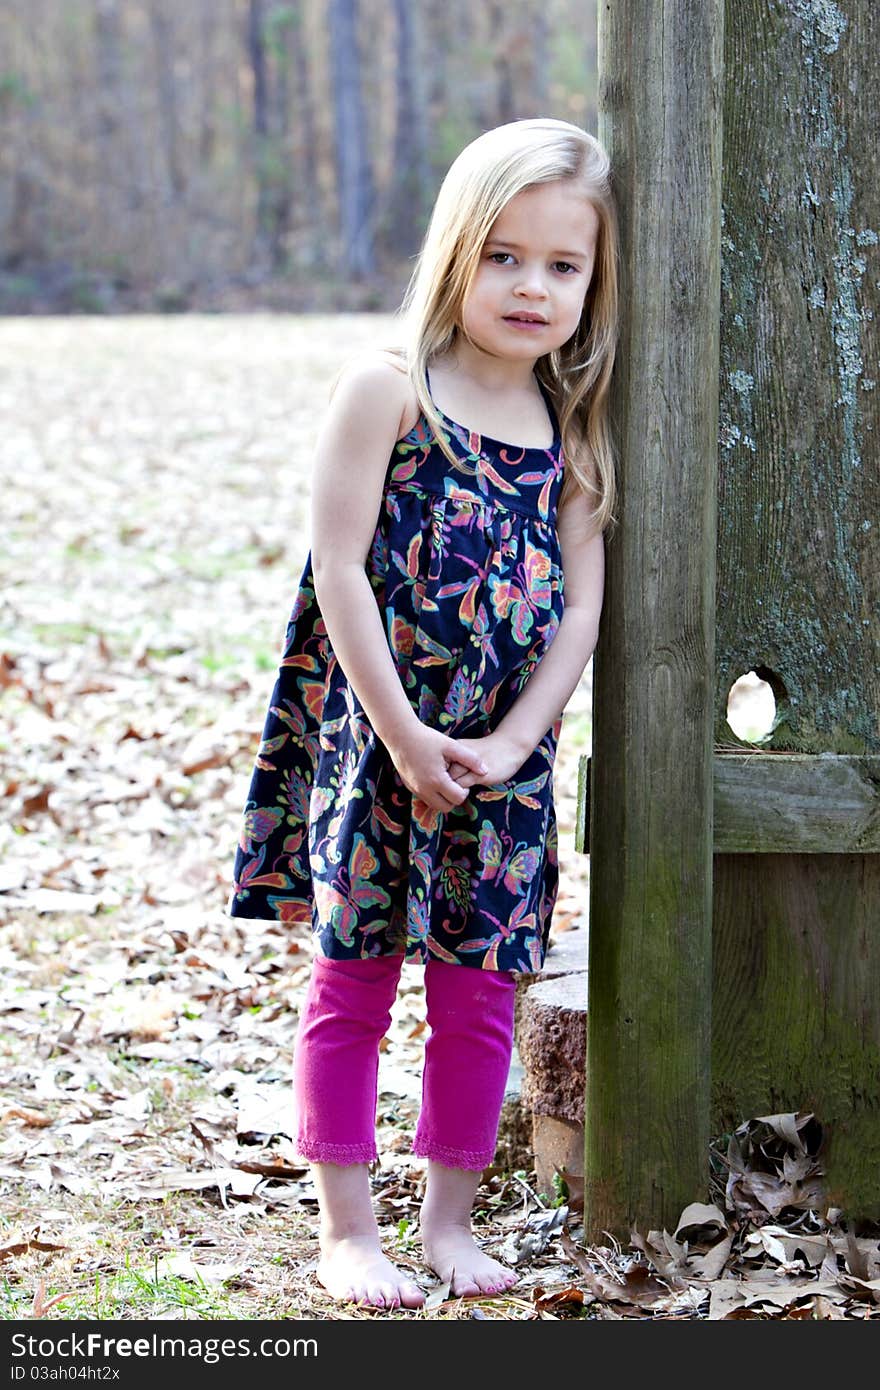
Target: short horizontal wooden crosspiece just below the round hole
{"points": [[797, 803]]}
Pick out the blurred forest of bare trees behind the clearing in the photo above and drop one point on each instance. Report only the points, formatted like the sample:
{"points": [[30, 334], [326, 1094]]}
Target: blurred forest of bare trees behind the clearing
{"points": [[233, 155]]}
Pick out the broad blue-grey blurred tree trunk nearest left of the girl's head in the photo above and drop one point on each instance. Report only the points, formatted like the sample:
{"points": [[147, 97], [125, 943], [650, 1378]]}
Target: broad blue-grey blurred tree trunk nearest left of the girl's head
{"points": [[354, 169]]}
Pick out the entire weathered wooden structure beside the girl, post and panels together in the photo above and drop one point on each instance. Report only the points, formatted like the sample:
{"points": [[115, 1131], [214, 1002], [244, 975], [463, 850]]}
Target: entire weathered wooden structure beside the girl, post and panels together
{"points": [[790, 831]]}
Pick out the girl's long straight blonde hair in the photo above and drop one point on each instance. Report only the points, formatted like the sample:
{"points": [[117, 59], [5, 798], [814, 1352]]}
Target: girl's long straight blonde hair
{"points": [[479, 186]]}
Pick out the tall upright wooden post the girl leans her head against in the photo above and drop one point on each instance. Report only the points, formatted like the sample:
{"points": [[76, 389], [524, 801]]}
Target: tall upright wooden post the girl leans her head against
{"points": [[649, 1050]]}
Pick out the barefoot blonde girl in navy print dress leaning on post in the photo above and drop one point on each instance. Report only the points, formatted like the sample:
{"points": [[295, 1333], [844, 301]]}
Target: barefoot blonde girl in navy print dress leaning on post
{"points": [[402, 796]]}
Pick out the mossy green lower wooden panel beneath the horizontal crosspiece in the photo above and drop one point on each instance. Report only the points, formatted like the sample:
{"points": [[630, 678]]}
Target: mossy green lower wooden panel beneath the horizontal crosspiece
{"points": [[796, 1007]]}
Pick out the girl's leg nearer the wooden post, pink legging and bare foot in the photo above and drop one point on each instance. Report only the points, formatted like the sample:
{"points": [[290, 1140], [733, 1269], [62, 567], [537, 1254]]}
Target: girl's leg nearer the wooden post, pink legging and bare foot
{"points": [[468, 1061]]}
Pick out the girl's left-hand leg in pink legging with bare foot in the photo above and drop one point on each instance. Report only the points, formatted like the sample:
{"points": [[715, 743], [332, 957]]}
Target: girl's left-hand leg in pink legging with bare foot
{"points": [[336, 1064]]}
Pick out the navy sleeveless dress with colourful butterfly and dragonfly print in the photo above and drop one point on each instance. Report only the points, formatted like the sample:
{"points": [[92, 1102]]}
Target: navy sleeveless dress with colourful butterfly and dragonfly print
{"points": [[466, 571]]}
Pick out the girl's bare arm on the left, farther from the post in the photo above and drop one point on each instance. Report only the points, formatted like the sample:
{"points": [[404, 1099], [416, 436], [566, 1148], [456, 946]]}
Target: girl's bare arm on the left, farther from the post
{"points": [[354, 448]]}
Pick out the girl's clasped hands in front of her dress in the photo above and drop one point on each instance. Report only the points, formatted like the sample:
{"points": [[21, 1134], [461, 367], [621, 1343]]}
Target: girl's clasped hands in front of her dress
{"points": [[440, 769]]}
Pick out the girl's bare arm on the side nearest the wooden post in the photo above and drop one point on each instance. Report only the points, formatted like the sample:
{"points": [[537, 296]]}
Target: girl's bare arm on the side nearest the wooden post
{"points": [[554, 680]]}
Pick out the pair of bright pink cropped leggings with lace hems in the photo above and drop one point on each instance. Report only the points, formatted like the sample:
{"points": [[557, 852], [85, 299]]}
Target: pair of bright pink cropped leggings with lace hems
{"points": [[468, 1057]]}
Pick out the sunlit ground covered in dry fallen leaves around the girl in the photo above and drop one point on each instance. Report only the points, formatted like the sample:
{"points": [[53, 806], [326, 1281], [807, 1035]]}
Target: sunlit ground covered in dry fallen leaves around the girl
{"points": [[156, 482]]}
